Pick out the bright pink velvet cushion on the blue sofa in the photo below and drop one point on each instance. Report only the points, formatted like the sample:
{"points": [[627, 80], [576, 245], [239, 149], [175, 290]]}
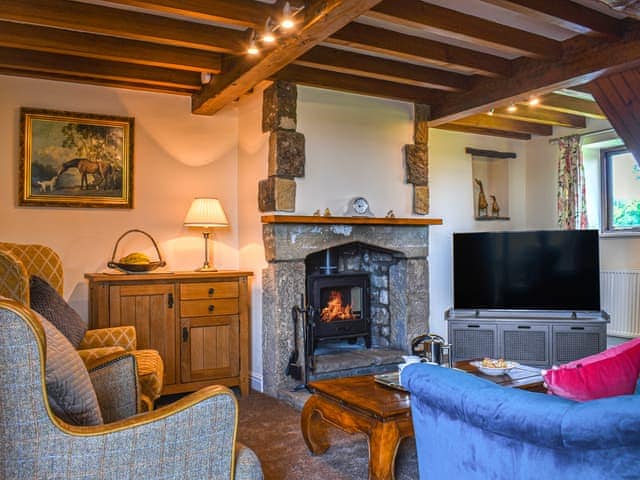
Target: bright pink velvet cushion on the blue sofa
{"points": [[612, 372]]}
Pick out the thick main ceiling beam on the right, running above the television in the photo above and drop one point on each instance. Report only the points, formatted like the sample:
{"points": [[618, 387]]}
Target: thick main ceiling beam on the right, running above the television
{"points": [[583, 60]]}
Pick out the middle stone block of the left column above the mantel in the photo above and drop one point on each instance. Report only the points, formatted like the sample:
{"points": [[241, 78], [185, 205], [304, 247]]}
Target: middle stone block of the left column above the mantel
{"points": [[286, 154]]}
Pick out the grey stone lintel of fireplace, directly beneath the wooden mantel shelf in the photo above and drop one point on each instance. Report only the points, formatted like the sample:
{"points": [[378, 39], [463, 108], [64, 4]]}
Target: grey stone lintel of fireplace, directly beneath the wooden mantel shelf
{"points": [[293, 242]]}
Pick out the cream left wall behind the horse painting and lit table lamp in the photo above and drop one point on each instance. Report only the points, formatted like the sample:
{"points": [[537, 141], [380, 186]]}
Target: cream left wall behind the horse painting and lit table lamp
{"points": [[177, 157]]}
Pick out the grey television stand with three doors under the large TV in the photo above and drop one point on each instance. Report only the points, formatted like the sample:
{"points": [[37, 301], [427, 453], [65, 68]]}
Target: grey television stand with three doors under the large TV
{"points": [[537, 338]]}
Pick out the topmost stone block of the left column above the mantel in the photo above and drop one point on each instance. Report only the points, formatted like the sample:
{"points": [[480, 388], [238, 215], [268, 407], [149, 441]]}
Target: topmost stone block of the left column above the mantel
{"points": [[279, 106]]}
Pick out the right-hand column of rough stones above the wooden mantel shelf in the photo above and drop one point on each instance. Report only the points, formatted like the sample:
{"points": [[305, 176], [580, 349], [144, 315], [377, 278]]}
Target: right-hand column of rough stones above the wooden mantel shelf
{"points": [[417, 159]]}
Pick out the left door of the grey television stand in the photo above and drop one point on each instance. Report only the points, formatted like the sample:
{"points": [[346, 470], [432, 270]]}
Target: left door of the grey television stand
{"points": [[471, 341]]}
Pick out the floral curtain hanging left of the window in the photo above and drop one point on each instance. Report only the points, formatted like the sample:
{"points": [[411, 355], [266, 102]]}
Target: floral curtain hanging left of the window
{"points": [[572, 205]]}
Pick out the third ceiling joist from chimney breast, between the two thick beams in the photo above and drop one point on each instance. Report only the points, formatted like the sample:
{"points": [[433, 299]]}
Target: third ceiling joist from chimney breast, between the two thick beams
{"points": [[374, 39]]}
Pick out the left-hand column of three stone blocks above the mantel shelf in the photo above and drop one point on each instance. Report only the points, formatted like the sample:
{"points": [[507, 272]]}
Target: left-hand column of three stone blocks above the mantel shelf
{"points": [[286, 148]]}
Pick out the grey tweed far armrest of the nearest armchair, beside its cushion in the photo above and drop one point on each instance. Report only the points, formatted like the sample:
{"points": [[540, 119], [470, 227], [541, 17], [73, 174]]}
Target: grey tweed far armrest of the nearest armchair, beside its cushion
{"points": [[115, 382]]}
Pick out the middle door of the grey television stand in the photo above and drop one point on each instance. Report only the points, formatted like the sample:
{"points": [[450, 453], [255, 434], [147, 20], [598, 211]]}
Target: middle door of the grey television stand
{"points": [[525, 343]]}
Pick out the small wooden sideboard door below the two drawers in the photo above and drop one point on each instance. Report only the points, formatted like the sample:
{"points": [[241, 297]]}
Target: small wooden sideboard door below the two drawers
{"points": [[209, 347]]}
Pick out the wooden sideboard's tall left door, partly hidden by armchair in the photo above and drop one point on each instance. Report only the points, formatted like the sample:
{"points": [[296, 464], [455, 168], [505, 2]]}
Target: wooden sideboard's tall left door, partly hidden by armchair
{"points": [[149, 308]]}
